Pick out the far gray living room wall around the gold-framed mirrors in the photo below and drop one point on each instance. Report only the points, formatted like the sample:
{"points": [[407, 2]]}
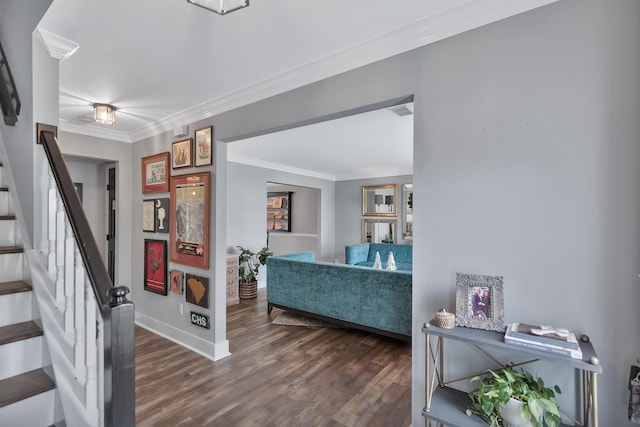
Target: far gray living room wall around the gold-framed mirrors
{"points": [[349, 209]]}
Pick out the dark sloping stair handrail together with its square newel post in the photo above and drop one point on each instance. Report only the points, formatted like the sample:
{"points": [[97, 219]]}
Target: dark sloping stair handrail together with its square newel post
{"points": [[117, 312]]}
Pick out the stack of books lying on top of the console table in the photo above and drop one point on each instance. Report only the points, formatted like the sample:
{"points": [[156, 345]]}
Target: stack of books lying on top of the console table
{"points": [[543, 338]]}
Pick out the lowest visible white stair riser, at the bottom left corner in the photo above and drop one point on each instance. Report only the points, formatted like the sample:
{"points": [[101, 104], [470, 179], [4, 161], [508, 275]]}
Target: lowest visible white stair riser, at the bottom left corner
{"points": [[37, 410]]}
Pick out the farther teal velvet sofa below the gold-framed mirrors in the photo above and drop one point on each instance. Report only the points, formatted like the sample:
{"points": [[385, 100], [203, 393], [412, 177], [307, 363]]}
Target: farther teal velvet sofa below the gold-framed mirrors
{"points": [[365, 253]]}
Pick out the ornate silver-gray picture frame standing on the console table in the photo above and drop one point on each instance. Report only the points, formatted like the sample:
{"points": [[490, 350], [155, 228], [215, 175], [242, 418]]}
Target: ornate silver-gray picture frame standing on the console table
{"points": [[480, 302]]}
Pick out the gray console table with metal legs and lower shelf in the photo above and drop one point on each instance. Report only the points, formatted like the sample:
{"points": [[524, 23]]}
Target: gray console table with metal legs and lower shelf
{"points": [[447, 406]]}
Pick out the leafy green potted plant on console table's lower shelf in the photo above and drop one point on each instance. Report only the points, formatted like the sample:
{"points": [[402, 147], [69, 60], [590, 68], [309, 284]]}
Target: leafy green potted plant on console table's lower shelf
{"points": [[499, 389]]}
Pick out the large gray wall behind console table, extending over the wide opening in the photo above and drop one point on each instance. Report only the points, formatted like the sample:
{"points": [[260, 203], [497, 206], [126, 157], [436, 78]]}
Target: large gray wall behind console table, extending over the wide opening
{"points": [[525, 165]]}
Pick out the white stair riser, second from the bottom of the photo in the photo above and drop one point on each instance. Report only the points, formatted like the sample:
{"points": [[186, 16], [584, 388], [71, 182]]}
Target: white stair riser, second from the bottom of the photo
{"points": [[20, 357]]}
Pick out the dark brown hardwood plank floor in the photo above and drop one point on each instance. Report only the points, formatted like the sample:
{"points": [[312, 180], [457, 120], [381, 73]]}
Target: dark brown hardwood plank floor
{"points": [[276, 376]]}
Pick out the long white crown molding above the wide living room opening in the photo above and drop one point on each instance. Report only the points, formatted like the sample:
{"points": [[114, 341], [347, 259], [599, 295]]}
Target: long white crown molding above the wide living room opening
{"points": [[463, 17]]}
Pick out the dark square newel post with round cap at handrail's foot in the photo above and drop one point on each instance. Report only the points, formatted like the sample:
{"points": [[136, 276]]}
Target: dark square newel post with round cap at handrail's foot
{"points": [[119, 361]]}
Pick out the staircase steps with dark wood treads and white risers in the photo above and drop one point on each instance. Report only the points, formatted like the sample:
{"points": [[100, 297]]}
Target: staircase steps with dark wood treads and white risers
{"points": [[28, 394]]}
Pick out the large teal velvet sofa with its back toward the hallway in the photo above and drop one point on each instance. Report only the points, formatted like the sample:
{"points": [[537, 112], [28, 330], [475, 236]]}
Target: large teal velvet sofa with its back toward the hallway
{"points": [[375, 300]]}
